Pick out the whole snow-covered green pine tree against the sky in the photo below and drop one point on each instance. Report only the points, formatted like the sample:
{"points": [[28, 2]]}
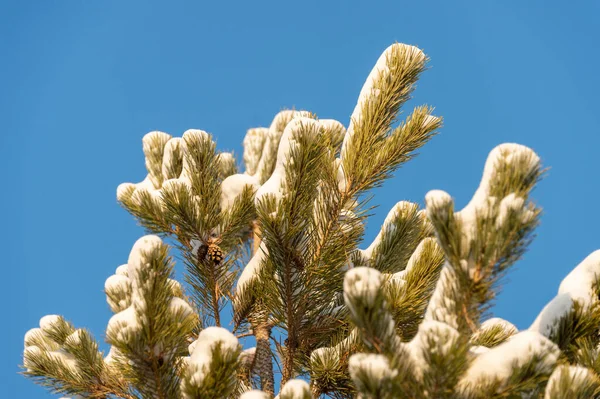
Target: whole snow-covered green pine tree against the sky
{"points": [[276, 250]]}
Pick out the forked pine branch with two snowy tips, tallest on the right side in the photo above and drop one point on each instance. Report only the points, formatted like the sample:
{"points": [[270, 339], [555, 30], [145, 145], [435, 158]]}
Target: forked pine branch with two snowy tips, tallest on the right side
{"points": [[489, 235]]}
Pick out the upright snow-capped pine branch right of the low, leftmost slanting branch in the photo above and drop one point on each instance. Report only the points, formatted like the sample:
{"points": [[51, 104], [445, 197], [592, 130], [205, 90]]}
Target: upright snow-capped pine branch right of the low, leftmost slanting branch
{"points": [[150, 335]]}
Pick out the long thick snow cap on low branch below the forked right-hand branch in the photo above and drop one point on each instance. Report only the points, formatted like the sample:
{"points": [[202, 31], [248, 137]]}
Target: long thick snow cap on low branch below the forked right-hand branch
{"points": [[499, 362]]}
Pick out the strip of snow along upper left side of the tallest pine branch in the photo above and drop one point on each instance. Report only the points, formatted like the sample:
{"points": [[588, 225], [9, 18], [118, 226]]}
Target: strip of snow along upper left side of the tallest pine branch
{"points": [[368, 91]]}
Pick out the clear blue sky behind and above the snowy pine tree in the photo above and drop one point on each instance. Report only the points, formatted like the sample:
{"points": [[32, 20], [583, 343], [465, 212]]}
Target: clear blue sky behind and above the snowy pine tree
{"points": [[83, 81]]}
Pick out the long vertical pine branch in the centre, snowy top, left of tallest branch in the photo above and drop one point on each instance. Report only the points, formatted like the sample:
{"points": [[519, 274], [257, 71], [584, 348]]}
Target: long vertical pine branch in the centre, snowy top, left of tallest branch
{"points": [[286, 242]]}
